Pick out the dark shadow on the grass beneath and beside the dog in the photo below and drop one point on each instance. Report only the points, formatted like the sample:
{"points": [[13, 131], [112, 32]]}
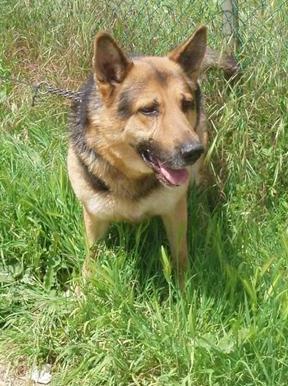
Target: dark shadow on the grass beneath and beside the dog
{"points": [[214, 258]]}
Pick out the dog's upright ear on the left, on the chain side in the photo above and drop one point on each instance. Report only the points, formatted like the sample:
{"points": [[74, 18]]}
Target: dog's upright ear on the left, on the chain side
{"points": [[110, 64]]}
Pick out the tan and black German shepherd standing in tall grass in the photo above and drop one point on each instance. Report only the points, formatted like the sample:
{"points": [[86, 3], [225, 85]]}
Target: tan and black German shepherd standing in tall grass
{"points": [[138, 138]]}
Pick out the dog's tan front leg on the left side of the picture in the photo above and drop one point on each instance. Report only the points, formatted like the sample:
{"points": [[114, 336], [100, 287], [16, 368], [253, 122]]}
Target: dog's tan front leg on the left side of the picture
{"points": [[95, 230]]}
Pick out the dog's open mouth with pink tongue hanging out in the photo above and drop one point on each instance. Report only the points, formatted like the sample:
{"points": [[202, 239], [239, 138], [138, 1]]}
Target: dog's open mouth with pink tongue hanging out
{"points": [[167, 176]]}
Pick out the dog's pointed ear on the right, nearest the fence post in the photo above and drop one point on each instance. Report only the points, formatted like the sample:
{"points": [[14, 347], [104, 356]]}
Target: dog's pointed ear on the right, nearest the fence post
{"points": [[190, 54]]}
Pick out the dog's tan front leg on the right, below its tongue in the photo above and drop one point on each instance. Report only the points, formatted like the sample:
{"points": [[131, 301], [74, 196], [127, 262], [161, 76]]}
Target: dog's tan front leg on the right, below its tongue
{"points": [[175, 223]]}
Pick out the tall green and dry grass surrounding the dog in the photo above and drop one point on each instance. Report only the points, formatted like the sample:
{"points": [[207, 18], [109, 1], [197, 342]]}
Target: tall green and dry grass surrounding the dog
{"points": [[131, 326]]}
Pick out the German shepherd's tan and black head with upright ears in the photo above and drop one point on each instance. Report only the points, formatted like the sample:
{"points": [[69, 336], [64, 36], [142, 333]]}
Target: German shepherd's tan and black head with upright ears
{"points": [[150, 108]]}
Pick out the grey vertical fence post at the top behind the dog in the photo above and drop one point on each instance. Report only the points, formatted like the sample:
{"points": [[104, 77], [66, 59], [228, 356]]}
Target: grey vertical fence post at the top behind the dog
{"points": [[230, 23]]}
